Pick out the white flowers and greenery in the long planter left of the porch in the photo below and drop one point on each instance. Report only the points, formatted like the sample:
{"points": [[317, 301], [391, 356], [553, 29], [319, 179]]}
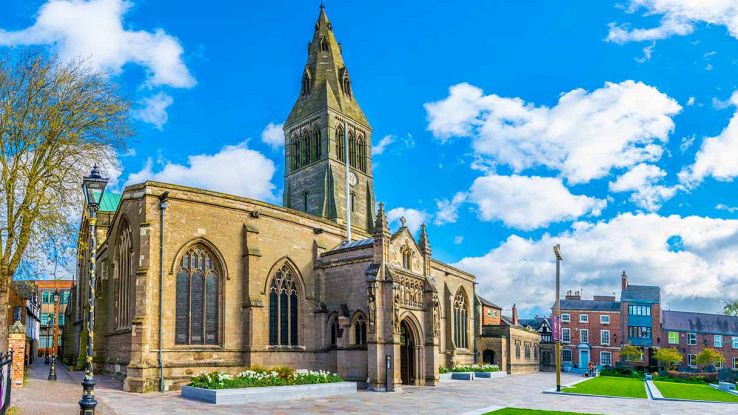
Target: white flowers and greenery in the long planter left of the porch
{"points": [[258, 377]]}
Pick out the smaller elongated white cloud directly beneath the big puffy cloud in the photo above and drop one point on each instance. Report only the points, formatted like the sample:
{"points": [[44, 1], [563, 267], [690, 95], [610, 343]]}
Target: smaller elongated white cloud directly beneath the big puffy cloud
{"points": [[529, 202]]}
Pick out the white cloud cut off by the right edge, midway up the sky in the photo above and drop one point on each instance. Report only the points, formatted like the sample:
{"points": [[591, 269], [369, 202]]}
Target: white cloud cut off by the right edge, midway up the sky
{"points": [[717, 156]]}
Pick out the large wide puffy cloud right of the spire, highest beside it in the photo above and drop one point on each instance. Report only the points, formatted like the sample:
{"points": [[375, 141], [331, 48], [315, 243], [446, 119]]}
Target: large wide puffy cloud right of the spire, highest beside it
{"points": [[584, 136]]}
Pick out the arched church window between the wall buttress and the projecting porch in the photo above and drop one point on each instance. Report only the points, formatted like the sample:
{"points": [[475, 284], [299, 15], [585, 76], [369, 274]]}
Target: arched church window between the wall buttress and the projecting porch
{"points": [[283, 308]]}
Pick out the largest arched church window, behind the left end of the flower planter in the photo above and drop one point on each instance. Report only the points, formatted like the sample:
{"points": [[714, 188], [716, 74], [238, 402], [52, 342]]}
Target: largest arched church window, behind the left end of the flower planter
{"points": [[197, 293]]}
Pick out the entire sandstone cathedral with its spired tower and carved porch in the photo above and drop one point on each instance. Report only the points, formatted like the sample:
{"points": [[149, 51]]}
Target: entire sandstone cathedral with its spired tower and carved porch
{"points": [[320, 282]]}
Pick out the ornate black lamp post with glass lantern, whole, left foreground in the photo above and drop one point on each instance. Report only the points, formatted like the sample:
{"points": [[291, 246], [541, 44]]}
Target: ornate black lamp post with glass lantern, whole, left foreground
{"points": [[93, 187]]}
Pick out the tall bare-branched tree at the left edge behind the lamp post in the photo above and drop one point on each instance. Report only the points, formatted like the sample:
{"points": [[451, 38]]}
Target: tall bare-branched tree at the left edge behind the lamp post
{"points": [[56, 120]]}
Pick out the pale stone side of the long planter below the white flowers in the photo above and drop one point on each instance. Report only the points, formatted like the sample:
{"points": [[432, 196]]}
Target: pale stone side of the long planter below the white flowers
{"points": [[267, 394]]}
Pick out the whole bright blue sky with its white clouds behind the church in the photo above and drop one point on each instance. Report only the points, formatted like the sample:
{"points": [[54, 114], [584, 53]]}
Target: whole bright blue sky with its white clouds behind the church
{"points": [[600, 126]]}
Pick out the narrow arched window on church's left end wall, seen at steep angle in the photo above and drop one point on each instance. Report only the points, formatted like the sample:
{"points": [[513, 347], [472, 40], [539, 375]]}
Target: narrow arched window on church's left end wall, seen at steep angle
{"points": [[124, 273]]}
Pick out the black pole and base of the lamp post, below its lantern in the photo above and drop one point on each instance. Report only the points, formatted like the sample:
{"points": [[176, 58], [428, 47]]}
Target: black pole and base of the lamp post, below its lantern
{"points": [[88, 403]]}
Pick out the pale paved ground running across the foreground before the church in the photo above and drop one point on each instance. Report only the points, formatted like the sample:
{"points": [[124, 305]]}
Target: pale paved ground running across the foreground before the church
{"points": [[523, 391]]}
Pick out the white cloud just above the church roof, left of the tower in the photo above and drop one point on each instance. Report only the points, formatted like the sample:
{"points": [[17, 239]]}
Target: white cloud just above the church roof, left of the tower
{"points": [[234, 169]]}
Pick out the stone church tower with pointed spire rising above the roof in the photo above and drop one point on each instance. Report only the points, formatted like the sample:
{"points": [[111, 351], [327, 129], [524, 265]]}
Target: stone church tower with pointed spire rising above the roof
{"points": [[315, 151]]}
